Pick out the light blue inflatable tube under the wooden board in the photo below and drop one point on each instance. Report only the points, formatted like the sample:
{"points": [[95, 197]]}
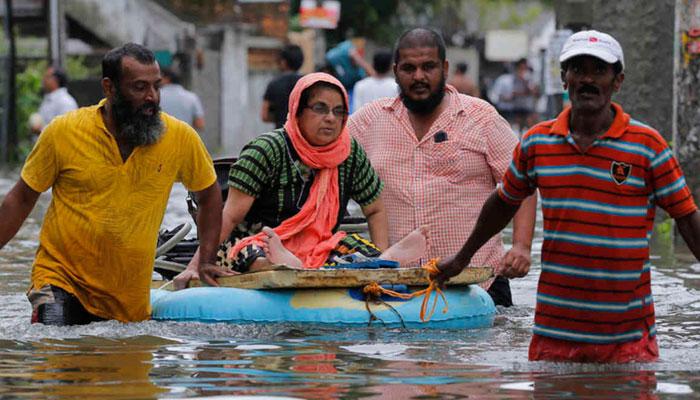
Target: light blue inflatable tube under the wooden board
{"points": [[469, 307]]}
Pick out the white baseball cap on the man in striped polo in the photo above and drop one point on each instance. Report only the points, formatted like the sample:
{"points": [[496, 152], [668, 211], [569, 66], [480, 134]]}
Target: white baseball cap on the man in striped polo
{"points": [[593, 43]]}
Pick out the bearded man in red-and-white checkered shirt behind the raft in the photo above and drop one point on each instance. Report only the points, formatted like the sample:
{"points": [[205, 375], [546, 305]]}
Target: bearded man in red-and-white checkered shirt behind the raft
{"points": [[440, 153]]}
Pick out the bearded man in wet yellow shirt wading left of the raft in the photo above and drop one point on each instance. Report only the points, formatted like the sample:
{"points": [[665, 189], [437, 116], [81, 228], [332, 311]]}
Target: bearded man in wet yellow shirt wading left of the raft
{"points": [[111, 168]]}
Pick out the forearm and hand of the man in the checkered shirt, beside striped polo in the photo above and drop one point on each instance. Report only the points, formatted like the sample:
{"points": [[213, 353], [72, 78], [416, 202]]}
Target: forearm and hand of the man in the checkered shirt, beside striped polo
{"points": [[518, 259]]}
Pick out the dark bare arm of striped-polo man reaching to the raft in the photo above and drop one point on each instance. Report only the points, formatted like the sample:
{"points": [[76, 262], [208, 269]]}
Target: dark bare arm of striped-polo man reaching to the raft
{"points": [[494, 216]]}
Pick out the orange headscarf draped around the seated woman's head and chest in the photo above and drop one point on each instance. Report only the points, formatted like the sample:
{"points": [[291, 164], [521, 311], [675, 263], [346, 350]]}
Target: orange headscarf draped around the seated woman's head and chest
{"points": [[309, 233]]}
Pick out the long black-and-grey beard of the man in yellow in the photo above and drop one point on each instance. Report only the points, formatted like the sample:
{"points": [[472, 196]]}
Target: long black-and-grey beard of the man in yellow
{"points": [[134, 126]]}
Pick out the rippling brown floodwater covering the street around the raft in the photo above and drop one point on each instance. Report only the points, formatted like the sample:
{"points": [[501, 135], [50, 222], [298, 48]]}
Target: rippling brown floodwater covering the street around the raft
{"points": [[187, 360]]}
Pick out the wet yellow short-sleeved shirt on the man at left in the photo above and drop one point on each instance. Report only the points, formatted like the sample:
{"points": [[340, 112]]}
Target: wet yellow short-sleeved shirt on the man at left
{"points": [[99, 235]]}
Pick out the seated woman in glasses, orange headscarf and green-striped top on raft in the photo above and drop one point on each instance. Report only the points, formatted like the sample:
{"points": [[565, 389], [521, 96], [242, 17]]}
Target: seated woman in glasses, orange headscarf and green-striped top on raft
{"points": [[298, 180]]}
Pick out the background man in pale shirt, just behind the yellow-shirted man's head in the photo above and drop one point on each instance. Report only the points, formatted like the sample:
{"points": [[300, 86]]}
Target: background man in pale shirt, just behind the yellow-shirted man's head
{"points": [[180, 102]]}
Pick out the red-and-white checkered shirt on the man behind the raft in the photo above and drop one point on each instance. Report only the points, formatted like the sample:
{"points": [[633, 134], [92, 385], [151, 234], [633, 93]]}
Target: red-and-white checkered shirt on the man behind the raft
{"points": [[443, 180]]}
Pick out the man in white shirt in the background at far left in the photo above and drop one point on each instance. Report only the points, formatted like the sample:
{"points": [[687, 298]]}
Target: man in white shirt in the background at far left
{"points": [[56, 99]]}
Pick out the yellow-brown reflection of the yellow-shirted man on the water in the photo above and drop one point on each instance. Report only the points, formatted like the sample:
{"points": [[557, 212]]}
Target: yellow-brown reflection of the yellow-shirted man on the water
{"points": [[90, 367]]}
